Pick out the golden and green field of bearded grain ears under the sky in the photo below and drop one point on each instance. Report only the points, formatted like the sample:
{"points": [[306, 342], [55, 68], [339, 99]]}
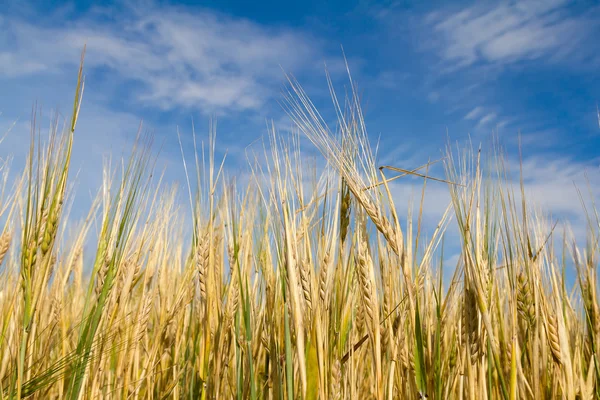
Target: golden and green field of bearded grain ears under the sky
{"points": [[287, 290]]}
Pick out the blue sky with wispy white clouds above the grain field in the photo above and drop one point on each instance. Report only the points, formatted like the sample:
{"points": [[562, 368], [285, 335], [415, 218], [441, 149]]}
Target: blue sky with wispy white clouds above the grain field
{"points": [[426, 70]]}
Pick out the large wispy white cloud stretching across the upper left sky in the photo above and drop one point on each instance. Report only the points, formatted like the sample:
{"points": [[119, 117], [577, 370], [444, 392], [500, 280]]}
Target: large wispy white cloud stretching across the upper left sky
{"points": [[200, 60]]}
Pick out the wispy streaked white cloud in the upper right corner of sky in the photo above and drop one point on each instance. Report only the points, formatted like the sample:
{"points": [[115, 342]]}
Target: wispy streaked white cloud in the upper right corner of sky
{"points": [[509, 32]]}
